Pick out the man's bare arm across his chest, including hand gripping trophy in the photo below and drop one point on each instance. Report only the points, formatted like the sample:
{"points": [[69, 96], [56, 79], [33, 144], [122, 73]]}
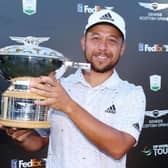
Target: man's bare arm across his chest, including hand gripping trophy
{"points": [[114, 142]]}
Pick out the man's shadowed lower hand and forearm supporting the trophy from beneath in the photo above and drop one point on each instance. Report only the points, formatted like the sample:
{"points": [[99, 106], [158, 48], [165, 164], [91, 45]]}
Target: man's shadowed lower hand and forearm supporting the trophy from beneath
{"points": [[26, 138]]}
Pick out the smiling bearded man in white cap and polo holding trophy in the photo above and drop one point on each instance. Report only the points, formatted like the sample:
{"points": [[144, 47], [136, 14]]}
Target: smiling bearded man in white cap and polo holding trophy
{"points": [[96, 117]]}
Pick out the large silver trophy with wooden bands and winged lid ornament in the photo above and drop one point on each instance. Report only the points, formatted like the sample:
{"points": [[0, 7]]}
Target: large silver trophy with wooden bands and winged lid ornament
{"points": [[18, 64]]}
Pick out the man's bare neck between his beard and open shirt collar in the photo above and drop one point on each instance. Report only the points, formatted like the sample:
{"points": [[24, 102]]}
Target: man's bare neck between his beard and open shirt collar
{"points": [[96, 78]]}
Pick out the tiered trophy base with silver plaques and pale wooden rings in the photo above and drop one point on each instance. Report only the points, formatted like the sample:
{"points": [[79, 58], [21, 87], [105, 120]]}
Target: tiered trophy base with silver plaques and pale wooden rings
{"points": [[18, 108]]}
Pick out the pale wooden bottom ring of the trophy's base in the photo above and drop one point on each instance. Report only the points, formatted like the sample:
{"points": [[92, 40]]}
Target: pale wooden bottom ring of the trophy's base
{"points": [[25, 124]]}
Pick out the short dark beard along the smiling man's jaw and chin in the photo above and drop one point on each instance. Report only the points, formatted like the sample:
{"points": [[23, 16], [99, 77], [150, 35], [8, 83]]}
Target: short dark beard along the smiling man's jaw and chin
{"points": [[104, 69]]}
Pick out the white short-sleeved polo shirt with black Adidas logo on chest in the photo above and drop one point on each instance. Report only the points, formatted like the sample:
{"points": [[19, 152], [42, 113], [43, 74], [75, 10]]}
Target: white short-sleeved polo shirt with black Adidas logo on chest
{"points": [[117, 103]]}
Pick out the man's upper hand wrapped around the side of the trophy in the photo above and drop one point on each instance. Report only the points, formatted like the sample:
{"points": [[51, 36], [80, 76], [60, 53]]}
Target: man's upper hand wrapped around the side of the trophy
{"points": [[52, 90]]}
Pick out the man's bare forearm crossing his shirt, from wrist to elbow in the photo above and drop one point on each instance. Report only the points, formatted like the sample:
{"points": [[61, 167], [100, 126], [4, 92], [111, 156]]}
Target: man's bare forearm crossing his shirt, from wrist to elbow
{"points": [[114, 142]]}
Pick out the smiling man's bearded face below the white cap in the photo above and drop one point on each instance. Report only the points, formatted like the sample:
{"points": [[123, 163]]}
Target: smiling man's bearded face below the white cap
{"points": [[103, 45]]}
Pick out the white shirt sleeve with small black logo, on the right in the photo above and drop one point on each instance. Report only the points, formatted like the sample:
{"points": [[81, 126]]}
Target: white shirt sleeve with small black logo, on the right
{"points": [[132, 113]]}
